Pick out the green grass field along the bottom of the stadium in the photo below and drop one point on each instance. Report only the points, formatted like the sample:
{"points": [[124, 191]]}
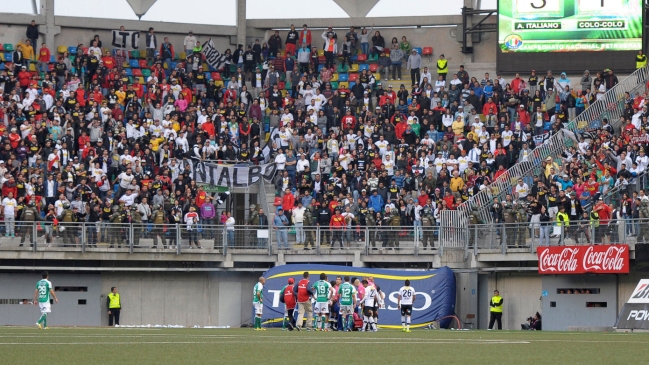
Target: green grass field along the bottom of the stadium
{"points": [[244, 346]]}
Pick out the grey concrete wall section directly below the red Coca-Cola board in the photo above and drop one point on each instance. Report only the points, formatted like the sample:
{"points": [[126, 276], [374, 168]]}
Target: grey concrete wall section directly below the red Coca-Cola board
{"points": [[572, 309]]}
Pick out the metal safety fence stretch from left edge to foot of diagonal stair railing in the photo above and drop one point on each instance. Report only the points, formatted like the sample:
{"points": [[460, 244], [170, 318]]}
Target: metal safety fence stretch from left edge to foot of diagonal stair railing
{"points": [[207, 238]]}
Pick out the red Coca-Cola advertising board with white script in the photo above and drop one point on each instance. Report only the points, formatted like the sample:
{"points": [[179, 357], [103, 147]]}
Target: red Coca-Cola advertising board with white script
{"points": [[601, 259]]}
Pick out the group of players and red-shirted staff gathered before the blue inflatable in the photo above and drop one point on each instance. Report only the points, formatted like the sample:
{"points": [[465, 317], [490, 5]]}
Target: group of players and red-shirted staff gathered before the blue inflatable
{"points": [[352, 304]]}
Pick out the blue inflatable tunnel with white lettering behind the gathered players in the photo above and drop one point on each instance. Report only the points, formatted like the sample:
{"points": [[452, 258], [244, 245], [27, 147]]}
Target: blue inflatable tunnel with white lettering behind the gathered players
{"points": [[434, 291]]}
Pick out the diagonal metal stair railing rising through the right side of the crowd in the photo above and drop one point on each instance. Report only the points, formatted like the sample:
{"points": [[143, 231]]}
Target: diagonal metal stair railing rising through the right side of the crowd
{"points": [[611, 106]]}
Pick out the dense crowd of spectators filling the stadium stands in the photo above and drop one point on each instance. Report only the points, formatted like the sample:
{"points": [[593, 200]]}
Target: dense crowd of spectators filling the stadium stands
{"points": [[81, 129]]}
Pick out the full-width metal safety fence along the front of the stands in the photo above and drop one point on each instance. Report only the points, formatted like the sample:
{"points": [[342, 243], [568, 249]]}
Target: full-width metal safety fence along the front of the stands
{"points": [[256, 240]]}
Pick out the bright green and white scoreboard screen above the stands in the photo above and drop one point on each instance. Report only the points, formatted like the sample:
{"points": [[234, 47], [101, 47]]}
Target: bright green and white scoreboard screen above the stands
{"points": [[569, 25]]}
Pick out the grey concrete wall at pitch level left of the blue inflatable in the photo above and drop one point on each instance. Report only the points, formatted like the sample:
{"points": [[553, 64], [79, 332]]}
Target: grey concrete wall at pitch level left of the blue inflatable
{"points": [[187, 299]]}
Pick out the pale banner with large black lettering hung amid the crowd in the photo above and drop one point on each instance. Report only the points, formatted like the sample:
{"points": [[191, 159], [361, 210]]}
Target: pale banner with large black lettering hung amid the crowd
{"points": [[232, 176]]}
